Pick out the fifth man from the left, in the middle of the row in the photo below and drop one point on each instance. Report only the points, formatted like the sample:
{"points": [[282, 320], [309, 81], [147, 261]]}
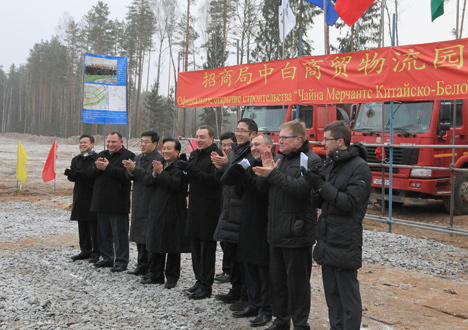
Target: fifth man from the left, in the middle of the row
{"points": [[203, 211]]}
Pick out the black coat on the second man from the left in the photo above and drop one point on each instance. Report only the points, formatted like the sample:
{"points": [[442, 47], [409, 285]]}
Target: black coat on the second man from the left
{"points": [[111, 193]]}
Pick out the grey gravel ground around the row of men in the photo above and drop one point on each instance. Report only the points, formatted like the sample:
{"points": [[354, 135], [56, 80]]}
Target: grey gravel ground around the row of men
{"points": [[40, 288]]}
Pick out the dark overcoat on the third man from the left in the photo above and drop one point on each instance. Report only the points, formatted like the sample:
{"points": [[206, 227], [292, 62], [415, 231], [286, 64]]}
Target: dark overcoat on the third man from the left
{"points": [[141, 194]]}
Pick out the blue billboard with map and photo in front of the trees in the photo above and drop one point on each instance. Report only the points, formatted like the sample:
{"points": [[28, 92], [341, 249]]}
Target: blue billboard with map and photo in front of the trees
{"points": [[105, 89]]}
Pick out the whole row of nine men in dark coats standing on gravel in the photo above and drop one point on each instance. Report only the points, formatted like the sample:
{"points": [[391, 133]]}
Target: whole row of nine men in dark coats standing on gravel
{"points": [[266, 213]]}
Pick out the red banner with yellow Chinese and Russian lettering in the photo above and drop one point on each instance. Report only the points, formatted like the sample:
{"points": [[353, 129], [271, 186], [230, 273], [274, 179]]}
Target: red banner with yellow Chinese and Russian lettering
{"points": [[416, 72]]}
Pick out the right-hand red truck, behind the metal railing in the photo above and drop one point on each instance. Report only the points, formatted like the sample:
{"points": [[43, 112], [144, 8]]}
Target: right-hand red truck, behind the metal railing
{"points": [[417, 123]]}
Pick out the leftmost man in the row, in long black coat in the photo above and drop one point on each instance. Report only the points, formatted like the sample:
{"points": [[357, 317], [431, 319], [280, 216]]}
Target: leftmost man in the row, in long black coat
{"points": [[82, 194]]}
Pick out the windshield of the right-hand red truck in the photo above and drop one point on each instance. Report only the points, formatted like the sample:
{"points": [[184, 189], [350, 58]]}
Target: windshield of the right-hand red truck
{"points": [[412, 117]]}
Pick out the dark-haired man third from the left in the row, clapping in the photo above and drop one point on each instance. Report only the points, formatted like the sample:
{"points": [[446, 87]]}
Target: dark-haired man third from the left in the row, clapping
{"points": [[140, 172]]}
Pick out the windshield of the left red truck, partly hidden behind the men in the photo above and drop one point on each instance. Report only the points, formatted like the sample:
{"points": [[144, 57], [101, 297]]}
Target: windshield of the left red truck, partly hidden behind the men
{"points": [[268, 118]]}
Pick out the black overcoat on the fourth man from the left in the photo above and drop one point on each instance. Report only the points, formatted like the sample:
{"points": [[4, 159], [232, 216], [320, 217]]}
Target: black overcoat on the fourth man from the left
{"points": [[168, 213]]}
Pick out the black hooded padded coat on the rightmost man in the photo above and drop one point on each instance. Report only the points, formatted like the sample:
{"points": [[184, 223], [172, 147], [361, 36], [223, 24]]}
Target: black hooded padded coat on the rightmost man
{"points": [[345, 195]]}
